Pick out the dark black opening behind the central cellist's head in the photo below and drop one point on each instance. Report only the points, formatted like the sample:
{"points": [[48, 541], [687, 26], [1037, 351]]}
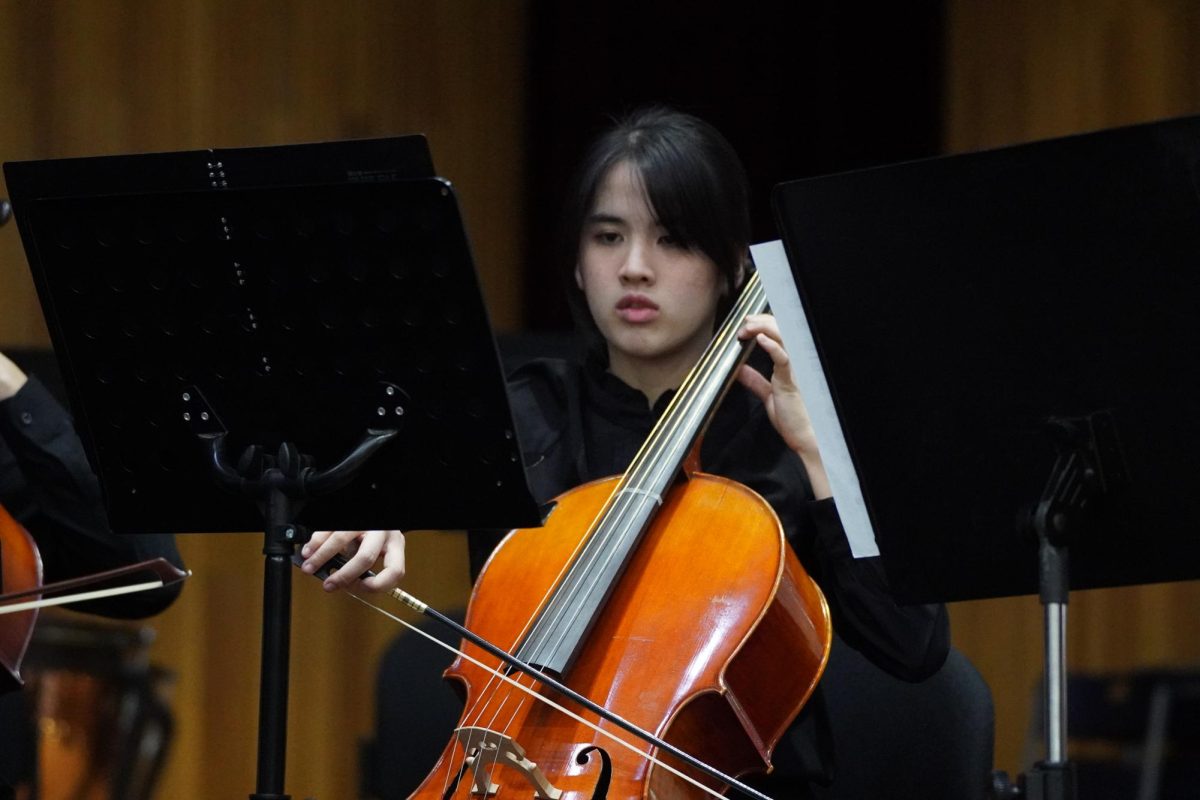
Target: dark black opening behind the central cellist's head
{"points": [[799, 89]]}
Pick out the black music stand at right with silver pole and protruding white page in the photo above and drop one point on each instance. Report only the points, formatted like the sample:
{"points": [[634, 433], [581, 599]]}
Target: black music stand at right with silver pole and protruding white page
{"points": [[1012, 335]]}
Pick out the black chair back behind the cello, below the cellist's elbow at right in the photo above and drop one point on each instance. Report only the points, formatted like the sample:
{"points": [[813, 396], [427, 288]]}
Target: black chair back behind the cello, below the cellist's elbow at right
{"points": [[893, 739]]}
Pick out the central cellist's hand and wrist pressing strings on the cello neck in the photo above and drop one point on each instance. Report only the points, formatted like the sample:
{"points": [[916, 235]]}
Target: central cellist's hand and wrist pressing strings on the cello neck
{"points": [[782, 398]]}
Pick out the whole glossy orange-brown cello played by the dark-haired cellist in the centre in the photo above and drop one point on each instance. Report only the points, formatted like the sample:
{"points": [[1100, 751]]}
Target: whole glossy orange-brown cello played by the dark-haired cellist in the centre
{"points": [[616, 597]]}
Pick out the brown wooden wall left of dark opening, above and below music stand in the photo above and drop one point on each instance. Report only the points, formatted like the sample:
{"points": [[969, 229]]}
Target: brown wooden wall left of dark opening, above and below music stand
{"points": [[87, 77]]}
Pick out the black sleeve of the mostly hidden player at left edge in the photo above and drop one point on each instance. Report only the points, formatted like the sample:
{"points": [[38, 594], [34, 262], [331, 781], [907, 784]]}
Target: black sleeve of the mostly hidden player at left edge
{"points": [[49, 486]]}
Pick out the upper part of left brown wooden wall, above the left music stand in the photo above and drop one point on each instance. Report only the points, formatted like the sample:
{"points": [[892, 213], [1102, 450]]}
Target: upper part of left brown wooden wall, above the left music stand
{"points": [[127, 76]]}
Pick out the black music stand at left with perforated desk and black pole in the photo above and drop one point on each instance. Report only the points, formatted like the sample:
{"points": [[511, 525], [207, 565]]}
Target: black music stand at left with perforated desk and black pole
{"points": [[271, 326]]}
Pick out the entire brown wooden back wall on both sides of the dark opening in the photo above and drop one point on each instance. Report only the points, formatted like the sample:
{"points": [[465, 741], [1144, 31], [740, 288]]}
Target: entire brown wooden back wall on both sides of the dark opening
{"points": [[116, 76]]}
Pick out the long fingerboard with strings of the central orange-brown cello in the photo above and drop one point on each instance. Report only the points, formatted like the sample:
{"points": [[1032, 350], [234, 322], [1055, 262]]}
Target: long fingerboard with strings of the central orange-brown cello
{"points": [[569, 612]]}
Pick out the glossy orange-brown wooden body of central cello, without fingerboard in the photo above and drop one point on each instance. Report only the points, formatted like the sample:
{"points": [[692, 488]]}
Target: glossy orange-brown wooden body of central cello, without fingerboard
{"points": [[713, 639]]}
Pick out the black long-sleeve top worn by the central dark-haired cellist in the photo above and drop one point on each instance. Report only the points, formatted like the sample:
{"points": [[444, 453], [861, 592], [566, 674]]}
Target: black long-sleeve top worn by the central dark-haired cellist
{"points": [[579, 423]]}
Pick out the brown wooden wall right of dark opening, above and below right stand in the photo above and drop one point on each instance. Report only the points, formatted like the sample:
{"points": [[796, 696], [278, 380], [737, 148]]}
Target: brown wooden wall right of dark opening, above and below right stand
{"points": [[1027, 70]]}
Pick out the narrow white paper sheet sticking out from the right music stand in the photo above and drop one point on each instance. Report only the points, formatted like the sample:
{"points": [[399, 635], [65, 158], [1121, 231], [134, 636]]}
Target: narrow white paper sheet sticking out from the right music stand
{"points": [[772, 263]]}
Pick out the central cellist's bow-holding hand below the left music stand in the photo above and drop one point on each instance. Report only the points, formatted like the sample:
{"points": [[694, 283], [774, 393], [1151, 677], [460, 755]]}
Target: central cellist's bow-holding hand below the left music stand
{"points": [[363, 549]]}
